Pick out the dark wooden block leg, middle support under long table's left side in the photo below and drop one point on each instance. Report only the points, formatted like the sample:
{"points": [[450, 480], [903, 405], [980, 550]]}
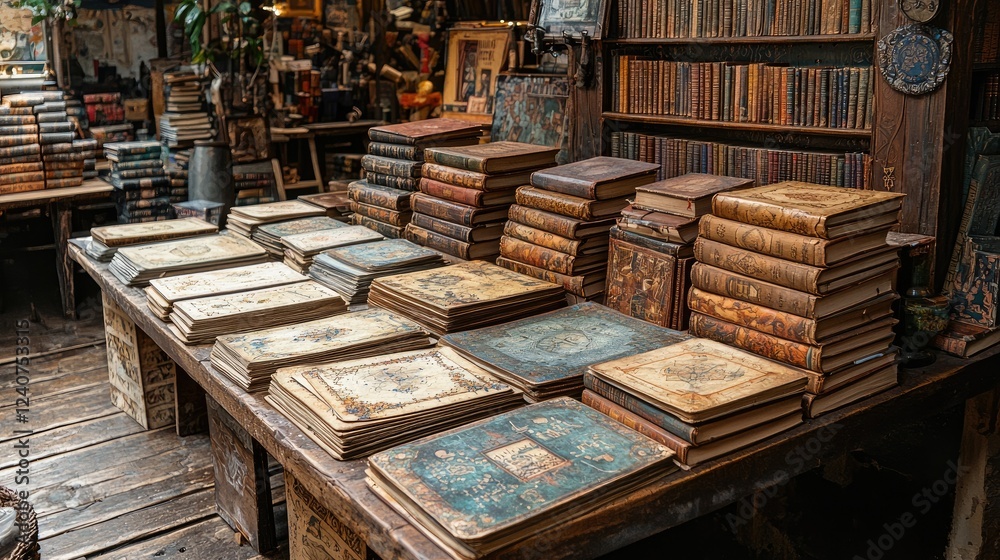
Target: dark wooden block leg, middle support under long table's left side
{"points": [[242, 487]]}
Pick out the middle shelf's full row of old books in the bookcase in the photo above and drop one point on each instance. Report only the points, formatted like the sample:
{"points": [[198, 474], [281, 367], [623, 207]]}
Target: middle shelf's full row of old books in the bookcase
{"points": [[763, 93]]}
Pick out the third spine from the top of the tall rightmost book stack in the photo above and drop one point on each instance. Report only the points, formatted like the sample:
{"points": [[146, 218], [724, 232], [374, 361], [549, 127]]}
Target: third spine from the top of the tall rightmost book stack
{"points": [[763, 267]]}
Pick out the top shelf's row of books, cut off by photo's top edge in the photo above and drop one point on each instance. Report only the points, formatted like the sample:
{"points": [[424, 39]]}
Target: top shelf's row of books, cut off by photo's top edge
{"points": [[668, 19]]}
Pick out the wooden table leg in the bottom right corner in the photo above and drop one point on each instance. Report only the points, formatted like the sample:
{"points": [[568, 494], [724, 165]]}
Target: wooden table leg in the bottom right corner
{"points": [[975, 531]]}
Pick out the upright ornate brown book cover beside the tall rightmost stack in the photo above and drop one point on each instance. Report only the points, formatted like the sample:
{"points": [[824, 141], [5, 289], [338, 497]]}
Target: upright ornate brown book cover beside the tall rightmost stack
{"points": [[641, 282]]}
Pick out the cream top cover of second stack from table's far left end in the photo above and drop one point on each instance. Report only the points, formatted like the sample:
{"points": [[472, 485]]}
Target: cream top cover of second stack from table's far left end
{"points": [[190, 252]]}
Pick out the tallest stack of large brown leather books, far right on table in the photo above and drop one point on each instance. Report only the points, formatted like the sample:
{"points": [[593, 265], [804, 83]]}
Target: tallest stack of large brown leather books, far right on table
{"points": [[802, 274]]}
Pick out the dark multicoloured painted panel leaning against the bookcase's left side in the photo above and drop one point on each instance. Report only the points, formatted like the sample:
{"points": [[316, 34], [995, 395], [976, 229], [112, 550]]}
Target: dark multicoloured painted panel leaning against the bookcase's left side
{"points": [[533, 109]]}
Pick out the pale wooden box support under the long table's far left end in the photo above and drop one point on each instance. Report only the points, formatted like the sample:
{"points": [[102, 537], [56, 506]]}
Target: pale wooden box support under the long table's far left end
{"points": [[141, 374]]}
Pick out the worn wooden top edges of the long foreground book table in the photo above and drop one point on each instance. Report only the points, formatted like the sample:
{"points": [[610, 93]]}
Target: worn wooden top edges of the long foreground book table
{"points": [[671, 501]]}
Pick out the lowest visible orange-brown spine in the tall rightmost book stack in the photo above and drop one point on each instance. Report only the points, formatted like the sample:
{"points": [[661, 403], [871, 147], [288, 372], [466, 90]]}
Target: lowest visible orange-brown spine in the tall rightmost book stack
{"points": [[768, 346]]}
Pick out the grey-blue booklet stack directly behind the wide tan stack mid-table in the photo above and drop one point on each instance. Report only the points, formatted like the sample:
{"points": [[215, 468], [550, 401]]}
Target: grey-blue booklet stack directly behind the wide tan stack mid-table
{"points": [[349, 271]]}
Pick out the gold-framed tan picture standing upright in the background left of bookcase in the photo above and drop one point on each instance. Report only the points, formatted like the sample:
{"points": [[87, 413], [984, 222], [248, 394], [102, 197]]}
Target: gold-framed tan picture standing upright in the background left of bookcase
{"points": [[475, 59]]}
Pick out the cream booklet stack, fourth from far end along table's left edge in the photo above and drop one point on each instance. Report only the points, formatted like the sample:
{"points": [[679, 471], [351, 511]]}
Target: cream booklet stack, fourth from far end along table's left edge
{"points": [[198, 321]]}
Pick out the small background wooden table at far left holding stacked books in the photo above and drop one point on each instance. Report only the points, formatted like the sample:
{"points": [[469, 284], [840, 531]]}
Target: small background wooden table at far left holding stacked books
{"points": [[60, 202]]}
